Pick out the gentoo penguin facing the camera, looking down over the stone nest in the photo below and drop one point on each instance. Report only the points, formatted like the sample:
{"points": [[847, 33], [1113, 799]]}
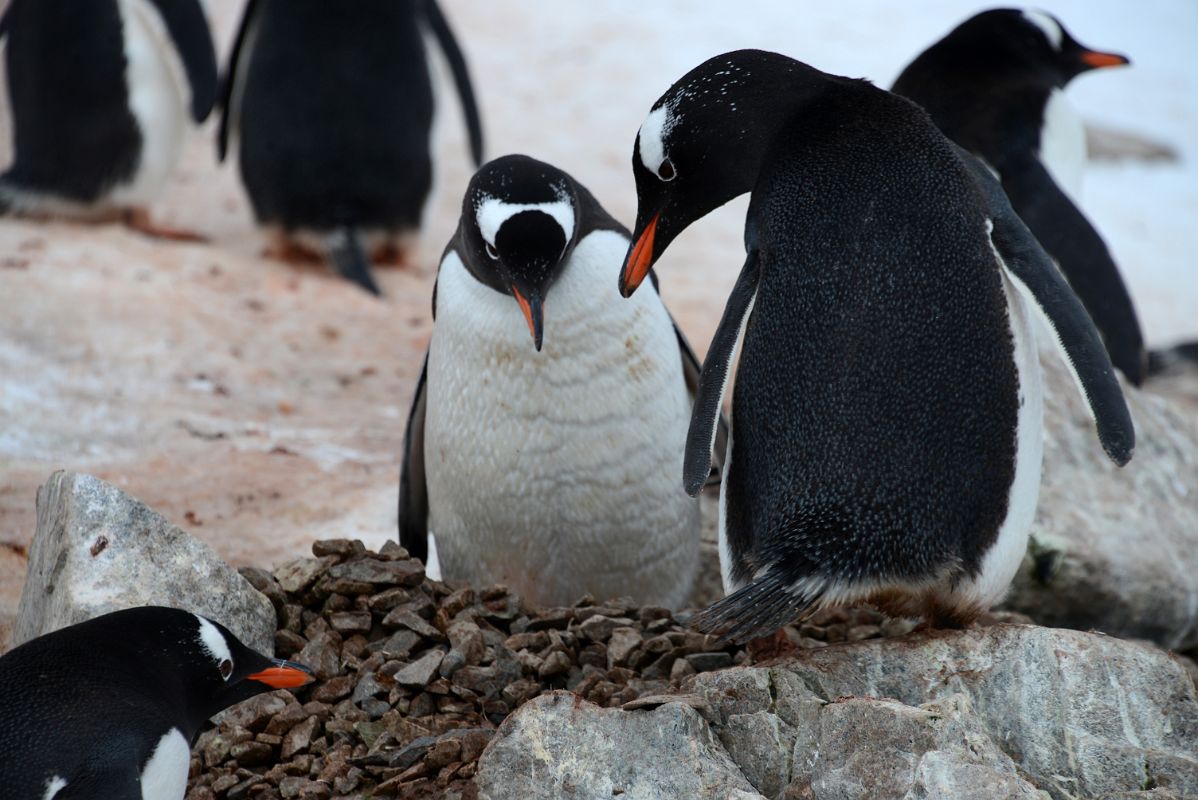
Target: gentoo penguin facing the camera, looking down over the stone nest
{"points": [[548, 427]]}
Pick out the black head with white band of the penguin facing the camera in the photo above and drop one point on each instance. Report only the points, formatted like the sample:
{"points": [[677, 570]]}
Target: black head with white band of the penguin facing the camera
{"points": [[519, 226]]}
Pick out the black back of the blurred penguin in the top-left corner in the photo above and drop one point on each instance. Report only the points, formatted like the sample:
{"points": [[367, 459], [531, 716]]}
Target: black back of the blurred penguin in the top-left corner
{"points": [[74, 132]]}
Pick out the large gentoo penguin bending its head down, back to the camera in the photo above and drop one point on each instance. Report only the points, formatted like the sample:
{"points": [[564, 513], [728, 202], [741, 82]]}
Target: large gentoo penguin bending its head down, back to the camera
{"points": [[887, 413]]}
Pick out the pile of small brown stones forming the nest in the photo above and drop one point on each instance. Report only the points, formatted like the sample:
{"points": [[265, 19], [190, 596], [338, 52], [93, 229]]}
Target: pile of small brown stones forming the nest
{"points": [[414, 676]]}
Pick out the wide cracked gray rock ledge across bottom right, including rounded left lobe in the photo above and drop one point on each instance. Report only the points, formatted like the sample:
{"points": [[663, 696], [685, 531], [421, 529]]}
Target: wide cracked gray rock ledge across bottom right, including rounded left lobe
{"points": [[1011, 712]]}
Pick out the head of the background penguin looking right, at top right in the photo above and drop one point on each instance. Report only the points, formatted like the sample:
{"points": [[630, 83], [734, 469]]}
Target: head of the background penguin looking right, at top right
{"points": [[1030, 45]]}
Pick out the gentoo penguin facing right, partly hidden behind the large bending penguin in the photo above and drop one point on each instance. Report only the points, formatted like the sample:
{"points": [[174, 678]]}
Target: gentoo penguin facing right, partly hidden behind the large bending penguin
{"points": [[995, 86]]}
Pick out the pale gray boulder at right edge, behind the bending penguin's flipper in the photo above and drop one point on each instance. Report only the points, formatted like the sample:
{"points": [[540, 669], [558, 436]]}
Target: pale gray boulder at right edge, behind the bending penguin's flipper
{"points": [[1115, 550]]}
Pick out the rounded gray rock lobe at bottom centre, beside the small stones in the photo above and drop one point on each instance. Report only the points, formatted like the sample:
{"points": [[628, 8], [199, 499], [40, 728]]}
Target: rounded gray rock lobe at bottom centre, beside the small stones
{"points": [[561, 747]]}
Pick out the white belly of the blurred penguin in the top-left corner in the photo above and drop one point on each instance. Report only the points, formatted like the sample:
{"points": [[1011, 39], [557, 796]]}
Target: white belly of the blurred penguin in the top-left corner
{"points": [[160, 96]]}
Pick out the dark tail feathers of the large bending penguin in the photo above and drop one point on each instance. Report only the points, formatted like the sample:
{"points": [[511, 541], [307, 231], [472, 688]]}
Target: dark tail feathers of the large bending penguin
{"points": [[759, 609]]}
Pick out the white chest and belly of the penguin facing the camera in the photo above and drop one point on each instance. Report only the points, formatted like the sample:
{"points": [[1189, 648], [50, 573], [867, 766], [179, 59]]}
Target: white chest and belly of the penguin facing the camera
{"points": [[560, 472]]}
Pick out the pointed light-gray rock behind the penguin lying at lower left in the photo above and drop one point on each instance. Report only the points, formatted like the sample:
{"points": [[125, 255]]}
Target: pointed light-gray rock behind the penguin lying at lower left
{"points": [[98, 550]]}
